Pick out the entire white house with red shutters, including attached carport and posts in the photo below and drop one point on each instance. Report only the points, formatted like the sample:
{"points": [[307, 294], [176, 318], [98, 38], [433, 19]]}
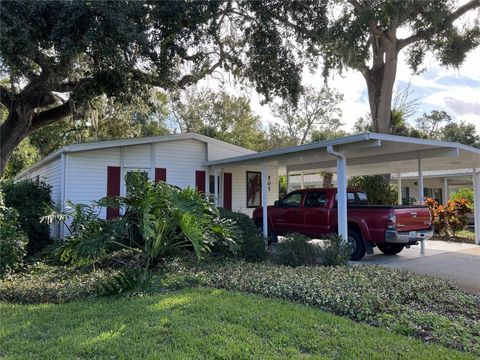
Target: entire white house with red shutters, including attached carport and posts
{"points": [[242, 179]]}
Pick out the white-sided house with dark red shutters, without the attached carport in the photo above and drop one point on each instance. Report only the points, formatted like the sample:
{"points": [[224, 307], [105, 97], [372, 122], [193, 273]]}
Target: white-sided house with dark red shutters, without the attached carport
{"points": [[87, 172]]}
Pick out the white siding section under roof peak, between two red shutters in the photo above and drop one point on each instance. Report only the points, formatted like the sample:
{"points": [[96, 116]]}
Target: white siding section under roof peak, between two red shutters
{"points": [[181, 159]]}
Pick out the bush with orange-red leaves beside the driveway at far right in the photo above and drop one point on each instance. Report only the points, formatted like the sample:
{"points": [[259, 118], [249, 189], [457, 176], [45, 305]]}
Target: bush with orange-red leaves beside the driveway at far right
{"points": [[451, 218]]}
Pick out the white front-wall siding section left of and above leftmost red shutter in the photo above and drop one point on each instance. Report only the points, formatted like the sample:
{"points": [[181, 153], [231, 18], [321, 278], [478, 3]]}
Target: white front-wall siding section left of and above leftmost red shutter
{"points": [[87, 175]]}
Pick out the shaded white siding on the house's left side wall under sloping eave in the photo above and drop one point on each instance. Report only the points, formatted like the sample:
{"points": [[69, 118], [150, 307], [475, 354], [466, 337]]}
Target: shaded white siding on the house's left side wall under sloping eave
{"points": [[51, 174]]}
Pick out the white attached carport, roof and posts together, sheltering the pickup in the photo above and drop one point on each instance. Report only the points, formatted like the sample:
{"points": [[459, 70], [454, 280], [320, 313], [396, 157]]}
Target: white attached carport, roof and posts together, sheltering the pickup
{"points": [[363, 154]]}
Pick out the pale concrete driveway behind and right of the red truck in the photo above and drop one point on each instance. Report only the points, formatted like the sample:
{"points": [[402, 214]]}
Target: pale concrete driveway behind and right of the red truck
{"points": [[458, 262]]}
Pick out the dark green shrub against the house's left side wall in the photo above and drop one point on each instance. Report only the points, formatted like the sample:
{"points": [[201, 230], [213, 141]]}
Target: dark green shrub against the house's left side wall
{"points": [[31, 200]]}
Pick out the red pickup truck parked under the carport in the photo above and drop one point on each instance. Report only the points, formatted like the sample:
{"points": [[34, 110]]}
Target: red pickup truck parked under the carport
{"points": [[313, 212]]}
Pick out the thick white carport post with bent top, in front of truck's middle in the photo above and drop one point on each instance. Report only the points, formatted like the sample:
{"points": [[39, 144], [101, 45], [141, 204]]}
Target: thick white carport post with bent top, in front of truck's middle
{"points": [[341, 193]]}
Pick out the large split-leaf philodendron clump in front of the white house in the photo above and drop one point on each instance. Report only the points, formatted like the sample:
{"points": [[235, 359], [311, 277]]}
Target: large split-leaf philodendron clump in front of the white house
{"points": [[159, 219]]}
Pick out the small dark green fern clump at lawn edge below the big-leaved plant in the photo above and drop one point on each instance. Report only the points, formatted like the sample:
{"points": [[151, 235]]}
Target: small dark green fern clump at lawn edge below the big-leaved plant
{"points": [[124, 281]]}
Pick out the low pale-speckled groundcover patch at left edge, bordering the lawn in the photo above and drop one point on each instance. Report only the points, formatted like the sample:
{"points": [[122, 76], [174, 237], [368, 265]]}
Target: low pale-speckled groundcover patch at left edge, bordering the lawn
{"points": [[43, 283]]}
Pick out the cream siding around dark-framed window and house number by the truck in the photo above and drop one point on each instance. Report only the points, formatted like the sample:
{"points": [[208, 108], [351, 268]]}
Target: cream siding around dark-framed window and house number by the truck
{"points": [[239, 187]]}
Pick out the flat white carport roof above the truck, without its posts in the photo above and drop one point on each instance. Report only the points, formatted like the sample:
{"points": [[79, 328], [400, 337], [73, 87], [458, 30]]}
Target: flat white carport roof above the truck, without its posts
{"points": [[367, 153]]}
